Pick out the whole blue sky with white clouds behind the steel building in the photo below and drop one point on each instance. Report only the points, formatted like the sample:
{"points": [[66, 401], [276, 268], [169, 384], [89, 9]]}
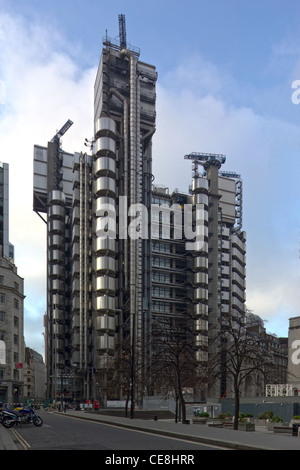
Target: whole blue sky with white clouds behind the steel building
{"points": [[226, 70]]}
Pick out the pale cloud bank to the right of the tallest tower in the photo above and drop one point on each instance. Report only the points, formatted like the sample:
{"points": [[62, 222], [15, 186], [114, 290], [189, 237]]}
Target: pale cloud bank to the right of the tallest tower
{"points": [[264, 150]]}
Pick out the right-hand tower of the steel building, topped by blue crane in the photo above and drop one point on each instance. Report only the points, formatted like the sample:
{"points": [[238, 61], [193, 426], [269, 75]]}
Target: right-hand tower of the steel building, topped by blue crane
{"points": [[220, 263]]}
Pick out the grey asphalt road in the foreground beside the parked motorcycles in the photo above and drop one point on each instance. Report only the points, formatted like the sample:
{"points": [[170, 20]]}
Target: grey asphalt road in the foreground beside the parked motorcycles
{"points": [[68, 433]]}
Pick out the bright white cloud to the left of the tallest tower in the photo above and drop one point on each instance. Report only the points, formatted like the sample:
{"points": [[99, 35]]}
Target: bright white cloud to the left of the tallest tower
{"points": [[44, 88]]}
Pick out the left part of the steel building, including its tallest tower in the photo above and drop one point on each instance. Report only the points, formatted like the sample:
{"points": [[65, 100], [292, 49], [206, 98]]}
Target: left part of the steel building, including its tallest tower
{"points": [[98, 287]]}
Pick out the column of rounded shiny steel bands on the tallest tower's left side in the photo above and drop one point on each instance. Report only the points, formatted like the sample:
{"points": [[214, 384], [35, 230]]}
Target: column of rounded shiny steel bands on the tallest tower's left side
{"points": [[104, 263]]}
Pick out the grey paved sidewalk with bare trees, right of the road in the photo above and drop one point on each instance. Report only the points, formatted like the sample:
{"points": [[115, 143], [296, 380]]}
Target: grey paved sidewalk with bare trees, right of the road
{"points": [[260, 439]]}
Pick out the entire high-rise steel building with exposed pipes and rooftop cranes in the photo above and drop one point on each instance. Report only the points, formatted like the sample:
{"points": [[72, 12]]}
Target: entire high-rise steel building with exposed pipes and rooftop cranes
{"points": [[114, 266]]}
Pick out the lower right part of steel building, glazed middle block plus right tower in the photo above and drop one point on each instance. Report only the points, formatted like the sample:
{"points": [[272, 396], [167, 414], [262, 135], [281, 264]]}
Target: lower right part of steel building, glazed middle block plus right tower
{"points": [[206, 280]]}
